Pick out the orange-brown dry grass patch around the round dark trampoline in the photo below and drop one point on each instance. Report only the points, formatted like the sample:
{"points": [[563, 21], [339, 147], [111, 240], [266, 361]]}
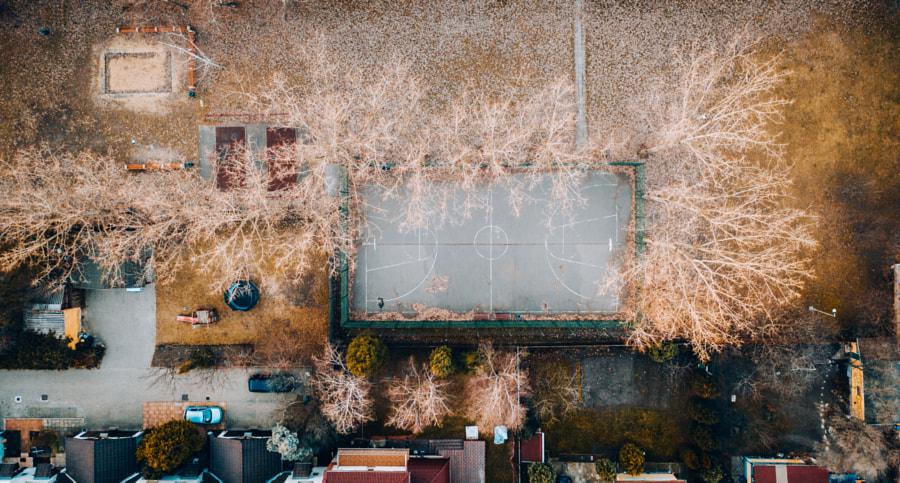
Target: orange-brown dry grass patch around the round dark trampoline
{"points": [[296, 311]]}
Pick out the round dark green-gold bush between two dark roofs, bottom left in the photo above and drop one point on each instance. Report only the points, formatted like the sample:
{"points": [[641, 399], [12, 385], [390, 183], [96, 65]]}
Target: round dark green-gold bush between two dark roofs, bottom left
{"points": [[165, 447]]}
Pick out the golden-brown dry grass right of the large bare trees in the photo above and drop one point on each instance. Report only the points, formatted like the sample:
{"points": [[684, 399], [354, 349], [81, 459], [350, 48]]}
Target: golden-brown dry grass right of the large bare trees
{"points": [[842, 136]]}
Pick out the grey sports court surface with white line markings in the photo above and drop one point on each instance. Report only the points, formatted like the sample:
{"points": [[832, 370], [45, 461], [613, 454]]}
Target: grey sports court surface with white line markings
{"points": [[494, 261]]}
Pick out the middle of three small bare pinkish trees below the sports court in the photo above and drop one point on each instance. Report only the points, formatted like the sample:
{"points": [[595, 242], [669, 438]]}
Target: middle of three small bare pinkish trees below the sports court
{"points": [[418, 400]]}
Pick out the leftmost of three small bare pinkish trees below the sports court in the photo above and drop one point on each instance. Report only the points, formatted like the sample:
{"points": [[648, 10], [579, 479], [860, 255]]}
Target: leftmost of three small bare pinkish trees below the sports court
{"points": [[344, 398]]}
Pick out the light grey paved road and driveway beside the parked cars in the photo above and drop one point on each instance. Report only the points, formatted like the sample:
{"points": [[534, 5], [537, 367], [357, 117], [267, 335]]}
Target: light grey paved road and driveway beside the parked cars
{"points": [[113, 394]]}
